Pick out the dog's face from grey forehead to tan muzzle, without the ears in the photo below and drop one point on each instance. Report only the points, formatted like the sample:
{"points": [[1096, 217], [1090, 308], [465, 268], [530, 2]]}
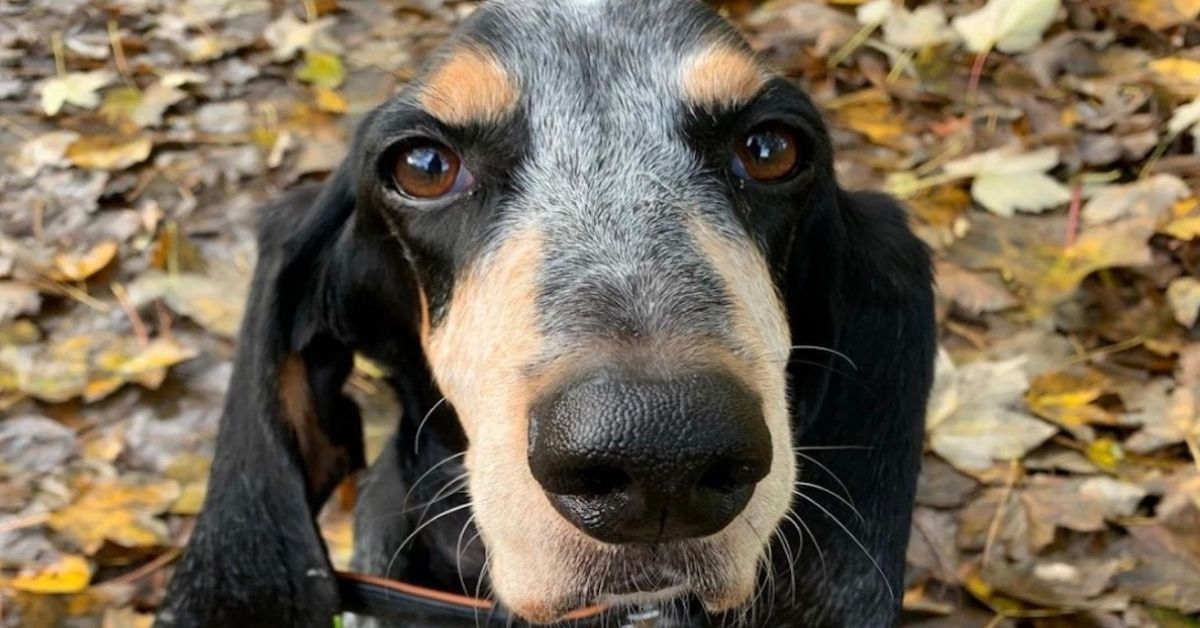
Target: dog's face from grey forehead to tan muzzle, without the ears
{"points": [[599, 200]]}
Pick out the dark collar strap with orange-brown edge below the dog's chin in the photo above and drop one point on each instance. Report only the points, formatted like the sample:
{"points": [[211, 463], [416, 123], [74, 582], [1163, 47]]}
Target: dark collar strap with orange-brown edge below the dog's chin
{"points": [[392, 600]]}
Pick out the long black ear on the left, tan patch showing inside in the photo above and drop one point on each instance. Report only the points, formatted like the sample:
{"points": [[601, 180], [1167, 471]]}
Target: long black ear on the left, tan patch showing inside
{"points": [[287, 434]]}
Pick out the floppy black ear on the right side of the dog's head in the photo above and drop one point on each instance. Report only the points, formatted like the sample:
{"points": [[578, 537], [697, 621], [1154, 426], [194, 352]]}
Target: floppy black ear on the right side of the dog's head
{"points": [[862, 284]]}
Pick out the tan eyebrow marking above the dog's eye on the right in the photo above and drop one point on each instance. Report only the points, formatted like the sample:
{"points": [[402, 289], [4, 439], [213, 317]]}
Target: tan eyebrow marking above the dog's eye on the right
{"points": [[722, 76]]}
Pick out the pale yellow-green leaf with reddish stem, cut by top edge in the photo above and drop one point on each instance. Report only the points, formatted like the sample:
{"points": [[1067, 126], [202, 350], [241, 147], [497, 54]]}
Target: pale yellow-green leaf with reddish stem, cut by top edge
{"points": [[1009, 26]]}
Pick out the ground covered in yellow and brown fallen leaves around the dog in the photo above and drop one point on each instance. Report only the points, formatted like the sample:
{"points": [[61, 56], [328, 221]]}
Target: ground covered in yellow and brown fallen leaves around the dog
{"points": [[1049, 154]]}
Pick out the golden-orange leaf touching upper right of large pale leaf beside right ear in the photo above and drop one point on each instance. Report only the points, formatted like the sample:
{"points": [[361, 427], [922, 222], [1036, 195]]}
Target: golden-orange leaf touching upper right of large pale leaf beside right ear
{"points": [[1067, 398]]}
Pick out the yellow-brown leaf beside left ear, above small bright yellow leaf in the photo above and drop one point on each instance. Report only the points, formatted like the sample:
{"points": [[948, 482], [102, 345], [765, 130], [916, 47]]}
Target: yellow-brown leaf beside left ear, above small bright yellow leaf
{"points": [[123, 512]]}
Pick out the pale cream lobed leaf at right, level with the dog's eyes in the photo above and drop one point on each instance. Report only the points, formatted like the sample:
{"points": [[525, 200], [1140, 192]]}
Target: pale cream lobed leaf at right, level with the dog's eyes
{"points": [[1007, 181]]}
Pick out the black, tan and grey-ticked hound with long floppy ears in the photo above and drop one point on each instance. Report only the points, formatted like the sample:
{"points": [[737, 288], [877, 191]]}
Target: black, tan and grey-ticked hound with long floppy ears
{"points": [[647, 350]]}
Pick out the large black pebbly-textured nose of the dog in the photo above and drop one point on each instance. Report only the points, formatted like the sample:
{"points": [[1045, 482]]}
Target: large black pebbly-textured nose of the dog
{"points": [[632, 460]]}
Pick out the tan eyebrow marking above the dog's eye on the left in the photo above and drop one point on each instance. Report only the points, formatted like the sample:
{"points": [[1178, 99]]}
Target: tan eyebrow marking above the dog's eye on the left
{"points": [[470, 86]]}
